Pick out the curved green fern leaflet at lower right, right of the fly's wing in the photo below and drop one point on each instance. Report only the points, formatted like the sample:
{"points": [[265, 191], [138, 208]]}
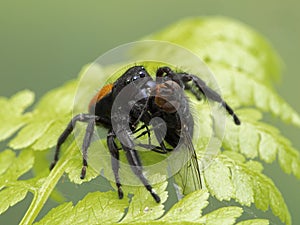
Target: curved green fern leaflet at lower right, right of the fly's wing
{"points": [[227, 178]]}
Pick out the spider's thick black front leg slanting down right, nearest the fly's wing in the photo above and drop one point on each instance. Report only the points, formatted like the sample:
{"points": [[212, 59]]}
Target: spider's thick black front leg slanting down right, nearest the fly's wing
{"points": [[134, 161]]}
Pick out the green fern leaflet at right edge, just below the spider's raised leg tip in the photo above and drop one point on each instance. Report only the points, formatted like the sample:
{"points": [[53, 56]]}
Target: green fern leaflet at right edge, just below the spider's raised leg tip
{"points": [[256, 139]]}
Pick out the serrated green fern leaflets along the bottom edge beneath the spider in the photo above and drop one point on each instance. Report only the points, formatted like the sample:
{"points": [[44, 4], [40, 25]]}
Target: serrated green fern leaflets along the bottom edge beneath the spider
{"points": [[110, 210]]}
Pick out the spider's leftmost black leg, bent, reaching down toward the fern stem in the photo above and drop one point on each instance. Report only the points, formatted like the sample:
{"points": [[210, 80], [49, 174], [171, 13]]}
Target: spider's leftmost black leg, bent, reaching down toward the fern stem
{"points": [[62, 138]]}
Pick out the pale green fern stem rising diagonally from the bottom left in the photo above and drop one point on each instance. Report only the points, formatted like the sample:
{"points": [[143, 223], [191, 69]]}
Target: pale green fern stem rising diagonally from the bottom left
{"points": [[42, 194]]}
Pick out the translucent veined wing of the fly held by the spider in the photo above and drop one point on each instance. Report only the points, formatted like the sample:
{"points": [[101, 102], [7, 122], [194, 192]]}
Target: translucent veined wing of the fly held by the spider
{"points": [[188, 179]]}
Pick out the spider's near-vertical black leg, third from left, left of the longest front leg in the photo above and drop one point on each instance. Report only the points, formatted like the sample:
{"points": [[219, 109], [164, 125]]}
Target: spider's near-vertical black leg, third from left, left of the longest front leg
{"points": [[115, 160]]}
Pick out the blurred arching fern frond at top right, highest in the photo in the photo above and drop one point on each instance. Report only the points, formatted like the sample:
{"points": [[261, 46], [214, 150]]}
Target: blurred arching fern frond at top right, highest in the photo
{"points": [[225, 41]]}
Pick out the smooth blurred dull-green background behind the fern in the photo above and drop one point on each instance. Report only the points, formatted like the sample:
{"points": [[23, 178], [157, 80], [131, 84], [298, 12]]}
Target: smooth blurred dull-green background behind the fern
{"points": [[45, 43]]}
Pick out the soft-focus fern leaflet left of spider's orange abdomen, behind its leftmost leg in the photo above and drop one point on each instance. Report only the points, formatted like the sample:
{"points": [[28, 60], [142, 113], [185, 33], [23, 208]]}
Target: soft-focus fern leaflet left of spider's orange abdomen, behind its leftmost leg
{"points": [[48, 119]]}
